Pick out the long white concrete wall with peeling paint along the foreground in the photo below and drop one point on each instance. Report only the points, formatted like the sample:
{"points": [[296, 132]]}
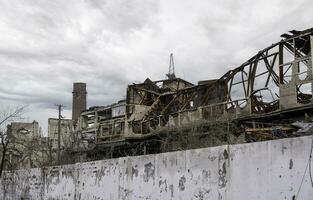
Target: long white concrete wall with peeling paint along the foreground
{"points": [[263, 170]]}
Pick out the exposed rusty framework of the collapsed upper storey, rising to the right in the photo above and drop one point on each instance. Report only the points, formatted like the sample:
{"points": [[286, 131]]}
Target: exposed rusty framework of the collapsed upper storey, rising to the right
{"points": [[278, 79]]}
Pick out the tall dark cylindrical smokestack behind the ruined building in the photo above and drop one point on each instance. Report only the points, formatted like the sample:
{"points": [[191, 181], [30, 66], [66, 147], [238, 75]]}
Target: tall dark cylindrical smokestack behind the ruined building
{"points": [[79, 100]]}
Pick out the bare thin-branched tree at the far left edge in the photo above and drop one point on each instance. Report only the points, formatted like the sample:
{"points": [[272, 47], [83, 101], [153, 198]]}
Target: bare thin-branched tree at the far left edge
{"points": [[7, 116]]}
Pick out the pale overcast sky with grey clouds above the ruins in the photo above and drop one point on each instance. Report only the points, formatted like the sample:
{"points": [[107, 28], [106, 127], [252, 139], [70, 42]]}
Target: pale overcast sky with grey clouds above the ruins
{"points": [[47, 45]]}
